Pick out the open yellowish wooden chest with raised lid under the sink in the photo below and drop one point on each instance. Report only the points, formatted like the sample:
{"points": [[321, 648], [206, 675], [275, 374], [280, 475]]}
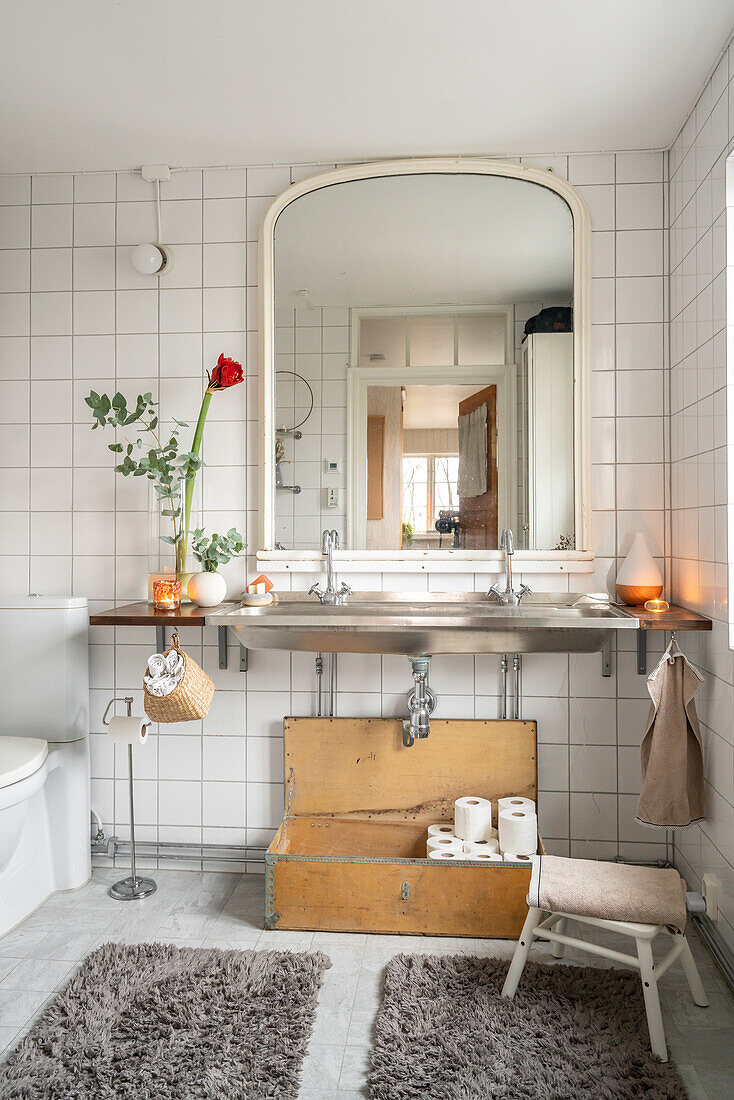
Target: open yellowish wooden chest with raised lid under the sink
{"points": [[350, 853]]}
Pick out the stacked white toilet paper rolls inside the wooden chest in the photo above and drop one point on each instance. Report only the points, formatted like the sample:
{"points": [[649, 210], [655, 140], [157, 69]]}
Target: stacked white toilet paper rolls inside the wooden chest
{"points": [[473, 837]]}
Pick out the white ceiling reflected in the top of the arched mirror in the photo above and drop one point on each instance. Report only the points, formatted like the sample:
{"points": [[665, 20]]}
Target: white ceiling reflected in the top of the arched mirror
{"points": [[436, 240]]}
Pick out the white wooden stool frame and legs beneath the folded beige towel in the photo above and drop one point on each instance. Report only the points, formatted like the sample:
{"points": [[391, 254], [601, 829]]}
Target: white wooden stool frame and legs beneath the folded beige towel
{"points": [[554, 931]]}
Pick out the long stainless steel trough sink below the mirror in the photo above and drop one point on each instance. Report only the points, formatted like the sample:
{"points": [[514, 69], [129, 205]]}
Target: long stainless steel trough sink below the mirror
{"points": [[417, 625]]}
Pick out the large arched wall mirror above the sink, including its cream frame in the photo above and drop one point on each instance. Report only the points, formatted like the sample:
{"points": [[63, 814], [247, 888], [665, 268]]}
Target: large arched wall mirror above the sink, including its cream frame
{"points": [[423, 361]]}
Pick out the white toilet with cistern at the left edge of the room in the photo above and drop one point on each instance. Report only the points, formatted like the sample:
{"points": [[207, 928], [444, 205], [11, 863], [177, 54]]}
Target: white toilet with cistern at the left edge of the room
{"points": [[45, 753]]}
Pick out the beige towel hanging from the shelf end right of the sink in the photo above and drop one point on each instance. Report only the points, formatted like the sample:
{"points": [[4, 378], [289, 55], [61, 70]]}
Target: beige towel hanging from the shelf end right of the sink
{"points": [[673, 763]]}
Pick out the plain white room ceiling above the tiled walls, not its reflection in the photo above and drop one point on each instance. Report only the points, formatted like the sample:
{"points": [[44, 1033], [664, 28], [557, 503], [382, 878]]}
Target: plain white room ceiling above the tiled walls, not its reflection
{"points": [[116, 84]]}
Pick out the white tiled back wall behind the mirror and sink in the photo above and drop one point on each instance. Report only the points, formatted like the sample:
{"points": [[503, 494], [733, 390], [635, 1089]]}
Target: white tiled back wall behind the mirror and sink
{"points": [[75, 316]]}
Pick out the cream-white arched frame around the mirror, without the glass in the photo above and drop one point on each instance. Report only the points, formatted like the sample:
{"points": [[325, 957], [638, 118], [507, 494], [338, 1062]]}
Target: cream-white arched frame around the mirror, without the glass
{"points": [[543, 562]]}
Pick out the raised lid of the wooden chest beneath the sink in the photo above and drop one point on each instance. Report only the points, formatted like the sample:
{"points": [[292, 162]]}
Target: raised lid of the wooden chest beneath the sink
{"points": [[360, 768]]}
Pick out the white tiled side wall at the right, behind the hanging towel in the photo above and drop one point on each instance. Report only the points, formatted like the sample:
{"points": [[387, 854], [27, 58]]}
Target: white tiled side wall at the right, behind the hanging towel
{"points": [[698, 453]]}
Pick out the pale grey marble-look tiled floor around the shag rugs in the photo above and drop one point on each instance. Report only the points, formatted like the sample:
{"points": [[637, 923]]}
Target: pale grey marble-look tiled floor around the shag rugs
{"points": [[207, 909]]}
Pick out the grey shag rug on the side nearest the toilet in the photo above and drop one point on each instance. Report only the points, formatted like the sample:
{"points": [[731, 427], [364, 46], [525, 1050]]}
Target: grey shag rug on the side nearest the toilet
{"points": [[157, 1022]]}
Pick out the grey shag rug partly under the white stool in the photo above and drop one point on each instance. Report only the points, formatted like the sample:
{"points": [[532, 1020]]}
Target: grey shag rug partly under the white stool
{"points": [[445, 1033]]}
